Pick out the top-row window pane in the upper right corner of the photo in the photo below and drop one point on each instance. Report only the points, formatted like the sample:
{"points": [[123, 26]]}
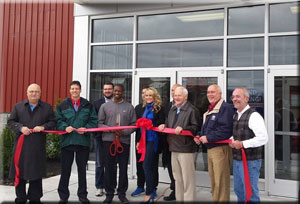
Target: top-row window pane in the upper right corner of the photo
{"points": [[284, 17]]}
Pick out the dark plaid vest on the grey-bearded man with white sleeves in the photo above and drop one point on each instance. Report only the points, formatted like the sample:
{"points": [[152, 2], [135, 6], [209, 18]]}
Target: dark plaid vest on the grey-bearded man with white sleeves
{"points": [[241, 131]]}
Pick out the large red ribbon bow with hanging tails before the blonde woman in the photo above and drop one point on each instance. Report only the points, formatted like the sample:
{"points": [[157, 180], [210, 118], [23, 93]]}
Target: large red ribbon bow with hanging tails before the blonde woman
{"points": [[143, 123]]}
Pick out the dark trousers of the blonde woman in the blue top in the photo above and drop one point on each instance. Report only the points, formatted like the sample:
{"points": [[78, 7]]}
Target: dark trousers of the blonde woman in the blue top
{"points": [[150, 166]]}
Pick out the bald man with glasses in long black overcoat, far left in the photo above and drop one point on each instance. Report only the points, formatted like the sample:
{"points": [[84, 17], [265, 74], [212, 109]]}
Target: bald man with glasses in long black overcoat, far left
{"points": [[30, 117]]}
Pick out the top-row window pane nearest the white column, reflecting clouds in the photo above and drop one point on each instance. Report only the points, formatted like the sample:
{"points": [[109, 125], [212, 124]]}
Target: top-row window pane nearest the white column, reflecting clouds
{"points": [[112, 30]]}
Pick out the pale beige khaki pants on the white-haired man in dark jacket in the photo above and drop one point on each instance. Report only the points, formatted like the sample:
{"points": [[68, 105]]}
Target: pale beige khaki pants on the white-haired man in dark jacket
{"points": [[184, 174]]}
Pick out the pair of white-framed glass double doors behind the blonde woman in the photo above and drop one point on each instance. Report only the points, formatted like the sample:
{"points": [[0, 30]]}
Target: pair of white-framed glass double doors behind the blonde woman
{"points": [[196, 82]]}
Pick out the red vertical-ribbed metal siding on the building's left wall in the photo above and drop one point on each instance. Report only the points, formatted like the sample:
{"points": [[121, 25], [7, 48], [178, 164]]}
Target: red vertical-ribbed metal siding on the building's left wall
{"points": [[36, 46]]}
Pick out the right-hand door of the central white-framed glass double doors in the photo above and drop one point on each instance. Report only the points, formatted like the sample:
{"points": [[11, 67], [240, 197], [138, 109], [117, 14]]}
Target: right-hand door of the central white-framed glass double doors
{"points": [[197, 83]]}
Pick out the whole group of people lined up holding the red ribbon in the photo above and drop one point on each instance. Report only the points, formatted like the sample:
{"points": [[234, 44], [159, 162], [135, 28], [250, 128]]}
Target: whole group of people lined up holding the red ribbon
{"points": [[74, 115]]}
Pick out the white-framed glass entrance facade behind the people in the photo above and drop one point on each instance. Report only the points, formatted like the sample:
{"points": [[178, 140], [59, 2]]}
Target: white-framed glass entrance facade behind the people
{"points": [[254, 44]]}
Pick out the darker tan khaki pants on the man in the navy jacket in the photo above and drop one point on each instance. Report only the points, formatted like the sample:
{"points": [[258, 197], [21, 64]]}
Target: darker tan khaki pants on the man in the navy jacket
{"points": [[219, 161]]}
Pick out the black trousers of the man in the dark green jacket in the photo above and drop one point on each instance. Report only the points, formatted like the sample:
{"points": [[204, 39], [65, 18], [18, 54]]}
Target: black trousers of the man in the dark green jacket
{"points": [[67, 156]]}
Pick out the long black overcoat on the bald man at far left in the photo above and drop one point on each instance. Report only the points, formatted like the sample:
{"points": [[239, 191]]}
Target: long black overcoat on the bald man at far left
{"points": [[32, 162]]}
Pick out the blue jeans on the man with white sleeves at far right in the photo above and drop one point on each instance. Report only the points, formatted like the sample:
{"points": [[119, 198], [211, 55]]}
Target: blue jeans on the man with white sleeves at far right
{"points": [[239, 183]]}
